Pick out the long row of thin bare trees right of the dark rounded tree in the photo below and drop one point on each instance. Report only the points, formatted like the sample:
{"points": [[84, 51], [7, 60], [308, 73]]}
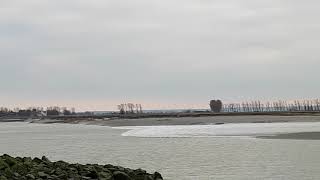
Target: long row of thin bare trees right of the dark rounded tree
{"points": [[275, 106]]}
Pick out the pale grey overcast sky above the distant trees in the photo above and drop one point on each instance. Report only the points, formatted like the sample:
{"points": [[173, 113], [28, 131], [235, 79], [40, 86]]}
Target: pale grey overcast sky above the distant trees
{"points": [[94, 54]]}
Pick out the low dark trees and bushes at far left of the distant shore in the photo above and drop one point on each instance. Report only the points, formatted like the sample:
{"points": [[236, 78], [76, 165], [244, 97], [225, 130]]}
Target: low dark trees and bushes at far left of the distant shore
{"points": [[37, 111]]}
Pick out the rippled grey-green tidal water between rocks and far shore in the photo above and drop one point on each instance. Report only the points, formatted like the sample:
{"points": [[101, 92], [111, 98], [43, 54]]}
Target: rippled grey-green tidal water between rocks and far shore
{"points": [[199, 152]]}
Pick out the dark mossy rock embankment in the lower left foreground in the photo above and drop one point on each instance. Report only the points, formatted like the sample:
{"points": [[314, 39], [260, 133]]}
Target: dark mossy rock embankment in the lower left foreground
{"points": [[27, 168]]}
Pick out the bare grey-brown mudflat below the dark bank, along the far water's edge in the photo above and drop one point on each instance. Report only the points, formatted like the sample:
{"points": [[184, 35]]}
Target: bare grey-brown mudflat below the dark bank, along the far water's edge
{"points": [[185, 120]]}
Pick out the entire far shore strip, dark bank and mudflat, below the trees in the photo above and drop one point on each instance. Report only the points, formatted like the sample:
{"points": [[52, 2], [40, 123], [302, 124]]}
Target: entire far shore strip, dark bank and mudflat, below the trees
{"points": [[156, 119]]}
